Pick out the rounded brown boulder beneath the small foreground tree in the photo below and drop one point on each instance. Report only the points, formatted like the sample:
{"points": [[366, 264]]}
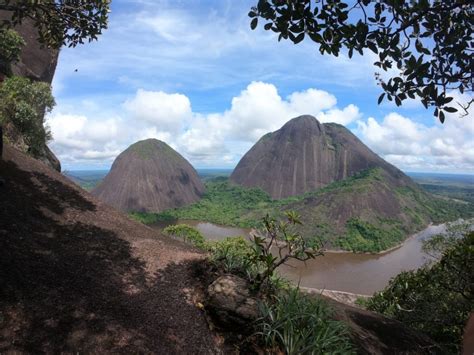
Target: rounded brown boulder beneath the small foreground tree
{"points": [[230, 302]]}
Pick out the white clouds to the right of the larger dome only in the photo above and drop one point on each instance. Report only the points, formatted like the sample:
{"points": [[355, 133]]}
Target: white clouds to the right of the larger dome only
{"points": [[414, 146]]}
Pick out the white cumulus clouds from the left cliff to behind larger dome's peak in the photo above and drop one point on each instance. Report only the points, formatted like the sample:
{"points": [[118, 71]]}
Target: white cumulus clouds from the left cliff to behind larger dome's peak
{"points": [[206, 139]]}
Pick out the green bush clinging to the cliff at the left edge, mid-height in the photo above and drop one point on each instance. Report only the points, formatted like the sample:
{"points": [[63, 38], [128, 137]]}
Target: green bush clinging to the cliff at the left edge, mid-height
{"points": [[23, 104]]}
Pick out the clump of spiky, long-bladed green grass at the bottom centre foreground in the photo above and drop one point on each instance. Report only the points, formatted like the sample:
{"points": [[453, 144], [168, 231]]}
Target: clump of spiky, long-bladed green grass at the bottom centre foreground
{"points": [[300, 324]]}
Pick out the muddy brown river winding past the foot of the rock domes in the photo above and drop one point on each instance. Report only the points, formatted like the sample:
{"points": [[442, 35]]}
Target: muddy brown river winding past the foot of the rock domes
{"points": [[341, 271]]}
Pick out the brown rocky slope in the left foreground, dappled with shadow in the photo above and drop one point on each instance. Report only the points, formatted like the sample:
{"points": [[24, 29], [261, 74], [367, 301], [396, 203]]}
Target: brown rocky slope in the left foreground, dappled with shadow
{"points": [[78, 276]]}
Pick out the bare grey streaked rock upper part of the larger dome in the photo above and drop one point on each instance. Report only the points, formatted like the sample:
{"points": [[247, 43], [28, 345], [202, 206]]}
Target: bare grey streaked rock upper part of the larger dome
{"points": [[305, 155]]}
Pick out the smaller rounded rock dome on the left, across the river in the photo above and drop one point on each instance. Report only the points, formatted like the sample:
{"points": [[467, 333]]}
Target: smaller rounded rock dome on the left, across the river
{"points": [[149, 176]]}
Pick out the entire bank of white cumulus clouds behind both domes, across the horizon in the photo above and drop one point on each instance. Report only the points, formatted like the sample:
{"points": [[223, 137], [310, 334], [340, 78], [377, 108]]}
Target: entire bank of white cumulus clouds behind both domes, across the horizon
{"points": [[221, 138]]}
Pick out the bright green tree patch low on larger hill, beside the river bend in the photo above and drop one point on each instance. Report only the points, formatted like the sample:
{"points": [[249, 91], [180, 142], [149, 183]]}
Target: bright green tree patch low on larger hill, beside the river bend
{"points": [[362, 236]]}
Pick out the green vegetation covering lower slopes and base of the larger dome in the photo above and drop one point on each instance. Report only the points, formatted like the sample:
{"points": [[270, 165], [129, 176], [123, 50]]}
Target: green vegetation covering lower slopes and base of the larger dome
{"points": [[228, 204]]}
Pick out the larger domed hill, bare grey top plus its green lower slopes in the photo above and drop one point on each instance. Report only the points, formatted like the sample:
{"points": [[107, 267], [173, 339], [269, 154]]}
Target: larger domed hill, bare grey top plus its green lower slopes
{"points": [[346, 194]]}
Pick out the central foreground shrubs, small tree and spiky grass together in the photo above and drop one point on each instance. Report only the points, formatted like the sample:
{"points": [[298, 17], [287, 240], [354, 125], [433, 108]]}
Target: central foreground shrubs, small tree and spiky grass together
{"points": [[290, 321]]}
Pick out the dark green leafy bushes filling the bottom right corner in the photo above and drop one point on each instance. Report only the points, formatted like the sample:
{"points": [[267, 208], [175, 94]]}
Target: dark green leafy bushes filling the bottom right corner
{"points": [[436, 300]]}
